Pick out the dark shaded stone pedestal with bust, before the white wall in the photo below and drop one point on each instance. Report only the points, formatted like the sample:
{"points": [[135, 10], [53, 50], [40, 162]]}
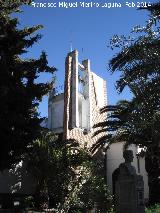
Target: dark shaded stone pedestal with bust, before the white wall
{"points": [[129, 189]]}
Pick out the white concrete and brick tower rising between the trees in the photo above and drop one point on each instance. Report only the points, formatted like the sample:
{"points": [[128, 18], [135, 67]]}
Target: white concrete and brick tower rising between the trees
{"points": [[77, 110]]}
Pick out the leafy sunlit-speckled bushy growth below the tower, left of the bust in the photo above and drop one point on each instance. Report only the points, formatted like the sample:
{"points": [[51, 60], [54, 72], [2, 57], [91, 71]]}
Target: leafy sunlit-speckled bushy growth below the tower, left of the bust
{"points": [[66, 175]]}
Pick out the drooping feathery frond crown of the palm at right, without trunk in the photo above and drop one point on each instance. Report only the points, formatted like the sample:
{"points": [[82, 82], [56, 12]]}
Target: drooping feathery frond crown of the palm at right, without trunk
{"points": [[138, 63]]}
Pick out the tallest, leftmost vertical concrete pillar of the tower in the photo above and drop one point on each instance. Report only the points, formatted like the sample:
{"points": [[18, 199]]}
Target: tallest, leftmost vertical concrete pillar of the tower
{"points": [[71, 117]]}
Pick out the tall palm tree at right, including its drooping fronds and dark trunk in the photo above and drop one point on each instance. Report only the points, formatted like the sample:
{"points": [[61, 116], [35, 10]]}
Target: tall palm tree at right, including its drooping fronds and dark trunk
{"points": [[136, 121]]}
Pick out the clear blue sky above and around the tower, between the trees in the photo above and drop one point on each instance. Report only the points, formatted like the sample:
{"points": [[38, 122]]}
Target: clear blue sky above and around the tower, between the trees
{"points": [[89, 29]]}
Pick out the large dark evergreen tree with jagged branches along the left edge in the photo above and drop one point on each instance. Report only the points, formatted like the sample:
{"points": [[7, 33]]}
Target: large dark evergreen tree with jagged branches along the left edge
{"points": [[19, 93]]}
